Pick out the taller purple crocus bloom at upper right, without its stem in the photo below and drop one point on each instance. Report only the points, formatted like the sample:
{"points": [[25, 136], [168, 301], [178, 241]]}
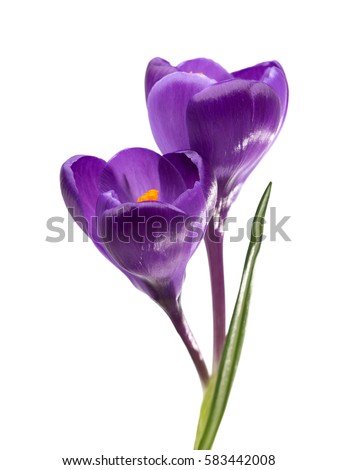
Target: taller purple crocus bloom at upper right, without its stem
{"points": [[230, 119]]}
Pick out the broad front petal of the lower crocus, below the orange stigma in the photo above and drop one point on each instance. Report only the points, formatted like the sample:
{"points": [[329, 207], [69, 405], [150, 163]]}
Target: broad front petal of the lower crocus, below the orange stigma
{"points": [[143, 240]]}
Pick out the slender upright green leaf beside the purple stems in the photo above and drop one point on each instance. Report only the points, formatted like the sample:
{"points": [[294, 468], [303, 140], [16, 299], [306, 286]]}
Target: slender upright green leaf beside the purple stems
{"points": [[218, 390]]}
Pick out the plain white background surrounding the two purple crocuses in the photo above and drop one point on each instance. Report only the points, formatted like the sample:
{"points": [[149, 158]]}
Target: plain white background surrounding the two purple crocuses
{"points": [[91, 366]]}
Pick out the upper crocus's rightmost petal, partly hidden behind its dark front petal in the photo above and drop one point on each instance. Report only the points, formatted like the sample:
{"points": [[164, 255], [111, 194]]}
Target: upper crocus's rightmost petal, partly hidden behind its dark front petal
{"points": [[273, 75]]}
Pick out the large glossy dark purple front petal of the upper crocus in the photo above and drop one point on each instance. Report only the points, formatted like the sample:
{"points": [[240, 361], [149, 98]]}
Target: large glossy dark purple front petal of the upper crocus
{"points": [[232, 124]]}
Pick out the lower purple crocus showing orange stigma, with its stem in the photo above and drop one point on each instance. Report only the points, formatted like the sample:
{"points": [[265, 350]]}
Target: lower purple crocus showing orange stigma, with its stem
{"points": [[146, 214]]}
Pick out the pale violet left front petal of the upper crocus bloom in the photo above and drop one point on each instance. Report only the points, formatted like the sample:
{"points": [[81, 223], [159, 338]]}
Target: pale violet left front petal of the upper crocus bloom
{"points": [[167, 105]]}
